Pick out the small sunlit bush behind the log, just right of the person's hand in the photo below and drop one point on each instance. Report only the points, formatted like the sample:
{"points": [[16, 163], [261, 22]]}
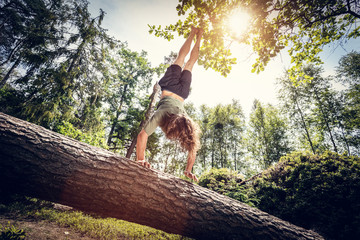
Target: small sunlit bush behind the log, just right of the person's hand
{"points": [[226, 182]]}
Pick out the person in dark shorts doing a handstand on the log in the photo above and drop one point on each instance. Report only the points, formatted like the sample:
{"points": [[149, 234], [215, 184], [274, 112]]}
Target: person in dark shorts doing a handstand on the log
{"points": [[170, 114]]}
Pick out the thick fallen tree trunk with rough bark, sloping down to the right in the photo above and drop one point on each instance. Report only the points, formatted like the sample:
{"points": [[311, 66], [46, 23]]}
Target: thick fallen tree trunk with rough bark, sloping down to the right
{"points": [[43, 164]]}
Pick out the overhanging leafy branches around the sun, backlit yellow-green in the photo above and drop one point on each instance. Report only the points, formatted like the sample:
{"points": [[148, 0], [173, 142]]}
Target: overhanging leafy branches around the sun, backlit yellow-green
{"points": [[304, 26]]}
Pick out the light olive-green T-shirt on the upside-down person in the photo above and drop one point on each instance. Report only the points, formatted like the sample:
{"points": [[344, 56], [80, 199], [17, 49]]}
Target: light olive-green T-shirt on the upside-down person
{"points": [[167, 105]]}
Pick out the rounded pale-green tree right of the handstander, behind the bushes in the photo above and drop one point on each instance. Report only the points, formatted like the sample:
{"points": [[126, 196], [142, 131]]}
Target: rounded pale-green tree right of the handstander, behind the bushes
{"points": [[266, 135]]}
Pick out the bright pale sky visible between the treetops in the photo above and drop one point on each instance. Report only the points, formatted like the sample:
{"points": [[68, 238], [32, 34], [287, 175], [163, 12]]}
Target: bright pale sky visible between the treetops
{"points": [[127, 21]]}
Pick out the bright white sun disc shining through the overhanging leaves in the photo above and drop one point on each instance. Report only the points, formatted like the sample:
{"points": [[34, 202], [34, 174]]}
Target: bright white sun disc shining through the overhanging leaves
{"points": [[238, 22]]}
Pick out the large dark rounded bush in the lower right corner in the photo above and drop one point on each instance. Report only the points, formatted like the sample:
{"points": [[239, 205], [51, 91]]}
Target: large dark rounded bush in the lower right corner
{"points": [[319, 192]]}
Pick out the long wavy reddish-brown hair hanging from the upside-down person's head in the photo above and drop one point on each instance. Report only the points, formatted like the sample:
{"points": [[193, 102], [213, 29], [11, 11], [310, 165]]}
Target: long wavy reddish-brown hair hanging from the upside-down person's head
{"points": [[183, 129]]}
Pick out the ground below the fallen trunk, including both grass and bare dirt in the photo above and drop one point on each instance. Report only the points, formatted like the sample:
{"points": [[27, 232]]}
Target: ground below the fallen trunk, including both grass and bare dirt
{"points": [[40, 220]]}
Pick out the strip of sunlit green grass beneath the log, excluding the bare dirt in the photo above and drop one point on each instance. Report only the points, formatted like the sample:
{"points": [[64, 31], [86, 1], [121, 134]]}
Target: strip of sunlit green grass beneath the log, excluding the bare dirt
{"points": [[91, 226]]}
